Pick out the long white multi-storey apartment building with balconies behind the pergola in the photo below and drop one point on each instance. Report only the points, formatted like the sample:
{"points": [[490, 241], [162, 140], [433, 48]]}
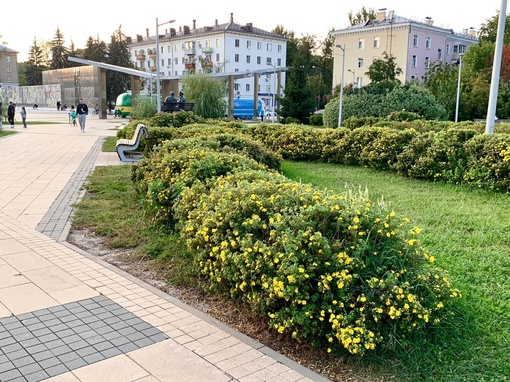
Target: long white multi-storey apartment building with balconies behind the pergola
{"points": [[228, 48]]}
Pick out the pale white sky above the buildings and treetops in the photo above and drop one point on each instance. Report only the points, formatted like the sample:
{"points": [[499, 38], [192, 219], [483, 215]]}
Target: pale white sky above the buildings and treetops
{"points": [[78, 21]]}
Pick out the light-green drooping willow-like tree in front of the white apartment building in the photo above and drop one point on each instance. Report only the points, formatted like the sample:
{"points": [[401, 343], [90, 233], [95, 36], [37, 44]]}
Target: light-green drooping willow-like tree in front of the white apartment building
{"points": [[207, 93]]}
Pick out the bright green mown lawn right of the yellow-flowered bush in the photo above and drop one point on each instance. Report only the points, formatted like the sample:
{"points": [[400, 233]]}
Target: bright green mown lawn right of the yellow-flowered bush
{"points": [[468, 231]]}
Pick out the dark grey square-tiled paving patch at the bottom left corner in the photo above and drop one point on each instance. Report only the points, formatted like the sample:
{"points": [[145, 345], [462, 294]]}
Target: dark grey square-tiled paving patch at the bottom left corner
{"points": [[47, 342]]}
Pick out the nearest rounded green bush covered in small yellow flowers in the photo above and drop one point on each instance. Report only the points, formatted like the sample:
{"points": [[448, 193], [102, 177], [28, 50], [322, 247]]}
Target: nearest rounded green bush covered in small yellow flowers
{"points": [[334, 270]]}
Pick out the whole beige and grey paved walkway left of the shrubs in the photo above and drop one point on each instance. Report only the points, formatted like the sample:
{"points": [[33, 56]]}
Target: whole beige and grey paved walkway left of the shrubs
{"points": [[68, 316]]}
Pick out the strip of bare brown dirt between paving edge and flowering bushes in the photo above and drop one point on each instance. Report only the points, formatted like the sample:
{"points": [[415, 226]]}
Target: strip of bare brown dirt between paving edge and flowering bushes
{"points": [[226, 311]]}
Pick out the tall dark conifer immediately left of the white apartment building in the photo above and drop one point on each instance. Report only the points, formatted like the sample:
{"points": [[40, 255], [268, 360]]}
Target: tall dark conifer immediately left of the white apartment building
{"points": [[118, 54]]}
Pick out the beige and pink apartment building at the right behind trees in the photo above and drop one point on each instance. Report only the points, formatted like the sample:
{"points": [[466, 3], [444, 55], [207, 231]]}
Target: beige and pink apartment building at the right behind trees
{"points": [[414, 44]]}
